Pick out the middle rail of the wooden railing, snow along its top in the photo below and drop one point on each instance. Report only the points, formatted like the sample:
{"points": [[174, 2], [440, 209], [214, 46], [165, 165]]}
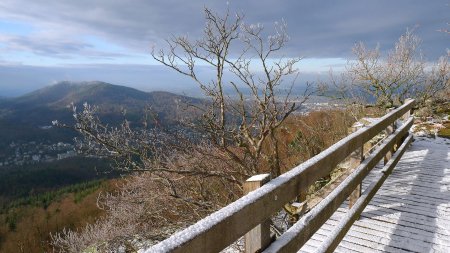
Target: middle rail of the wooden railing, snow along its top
{"points": [[298, 234]]}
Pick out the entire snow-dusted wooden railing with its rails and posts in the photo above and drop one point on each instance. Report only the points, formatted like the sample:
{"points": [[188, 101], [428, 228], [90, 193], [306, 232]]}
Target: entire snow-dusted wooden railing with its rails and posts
{"points": [[251, 212]]}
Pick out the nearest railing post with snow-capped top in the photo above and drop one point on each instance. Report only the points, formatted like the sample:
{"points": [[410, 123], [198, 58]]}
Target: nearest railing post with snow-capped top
{"points": [[258, 238]]}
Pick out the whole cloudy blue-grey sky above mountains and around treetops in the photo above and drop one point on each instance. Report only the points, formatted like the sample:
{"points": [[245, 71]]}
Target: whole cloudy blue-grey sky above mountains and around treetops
{"points": [[46, 41]]}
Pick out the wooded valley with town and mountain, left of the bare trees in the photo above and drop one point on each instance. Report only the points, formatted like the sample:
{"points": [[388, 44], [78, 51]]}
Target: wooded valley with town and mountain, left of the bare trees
{"points": [[45, 181]]}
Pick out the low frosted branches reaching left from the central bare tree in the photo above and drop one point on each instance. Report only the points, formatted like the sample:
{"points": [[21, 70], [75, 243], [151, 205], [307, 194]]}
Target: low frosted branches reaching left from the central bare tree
{"points": [[168, 156]]}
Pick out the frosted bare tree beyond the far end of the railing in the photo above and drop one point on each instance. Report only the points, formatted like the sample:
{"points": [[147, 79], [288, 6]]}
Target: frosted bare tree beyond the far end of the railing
{"points": [[389, 79]]}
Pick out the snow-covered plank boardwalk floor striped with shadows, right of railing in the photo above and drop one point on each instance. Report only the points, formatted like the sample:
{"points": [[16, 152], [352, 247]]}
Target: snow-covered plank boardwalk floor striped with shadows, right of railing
{"points": [[411, 211]]}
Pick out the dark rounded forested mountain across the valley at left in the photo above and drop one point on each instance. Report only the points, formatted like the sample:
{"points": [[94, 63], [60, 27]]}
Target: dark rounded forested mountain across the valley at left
{"points": [[24, 117]]}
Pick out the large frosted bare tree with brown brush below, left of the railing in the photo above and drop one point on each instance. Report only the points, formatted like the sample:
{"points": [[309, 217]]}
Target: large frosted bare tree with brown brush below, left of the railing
{"points": [[179, 172]]}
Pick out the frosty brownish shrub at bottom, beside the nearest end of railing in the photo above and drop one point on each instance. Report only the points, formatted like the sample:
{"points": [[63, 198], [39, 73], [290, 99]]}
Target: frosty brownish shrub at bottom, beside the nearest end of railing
{"points": [[138, 212]]}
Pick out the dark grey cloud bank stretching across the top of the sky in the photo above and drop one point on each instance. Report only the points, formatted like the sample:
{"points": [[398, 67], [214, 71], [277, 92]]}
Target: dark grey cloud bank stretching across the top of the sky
{"points": [[317, 28]]}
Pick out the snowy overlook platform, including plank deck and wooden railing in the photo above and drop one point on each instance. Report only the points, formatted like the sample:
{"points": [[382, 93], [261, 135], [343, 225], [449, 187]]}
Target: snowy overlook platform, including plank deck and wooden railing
{"points": [[399, 195]]}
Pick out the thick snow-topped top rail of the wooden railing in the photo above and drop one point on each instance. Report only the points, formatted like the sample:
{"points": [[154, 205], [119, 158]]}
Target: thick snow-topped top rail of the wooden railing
{"points": [[223, 227]]}
